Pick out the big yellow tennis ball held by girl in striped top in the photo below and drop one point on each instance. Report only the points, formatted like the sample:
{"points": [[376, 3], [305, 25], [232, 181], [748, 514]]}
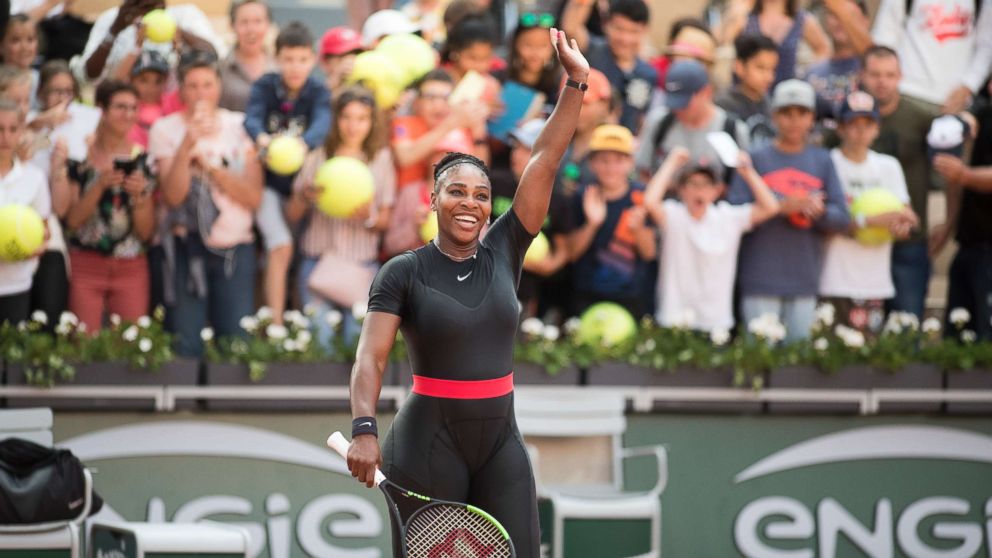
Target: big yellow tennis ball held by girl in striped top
{"points": [[347, 184]]}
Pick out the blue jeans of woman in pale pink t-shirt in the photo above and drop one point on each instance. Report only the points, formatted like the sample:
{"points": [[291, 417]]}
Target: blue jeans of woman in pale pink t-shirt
{"points": [[230, 295]]}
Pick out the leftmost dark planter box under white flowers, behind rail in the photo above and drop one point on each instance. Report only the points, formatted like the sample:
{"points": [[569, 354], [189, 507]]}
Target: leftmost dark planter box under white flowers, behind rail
{"points": [[177, 372]]}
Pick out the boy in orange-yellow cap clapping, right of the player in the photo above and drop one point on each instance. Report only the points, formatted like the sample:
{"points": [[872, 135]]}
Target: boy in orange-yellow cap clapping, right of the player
{"points": [[611, 243]]}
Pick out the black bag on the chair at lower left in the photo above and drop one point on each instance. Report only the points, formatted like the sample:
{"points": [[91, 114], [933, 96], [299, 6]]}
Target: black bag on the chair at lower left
{"points": [[40, 484]]}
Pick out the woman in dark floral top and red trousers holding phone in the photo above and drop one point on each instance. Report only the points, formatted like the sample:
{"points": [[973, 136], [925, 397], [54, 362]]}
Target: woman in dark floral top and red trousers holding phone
{"points": [[111, 215]]}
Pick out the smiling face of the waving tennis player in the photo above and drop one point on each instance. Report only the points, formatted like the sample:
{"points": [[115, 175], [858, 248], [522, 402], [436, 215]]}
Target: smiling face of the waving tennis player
{"points": [[463, 203]]}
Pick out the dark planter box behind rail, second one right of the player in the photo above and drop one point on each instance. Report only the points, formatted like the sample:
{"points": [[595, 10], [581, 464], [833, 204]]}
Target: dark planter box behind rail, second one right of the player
{"points": [[622, 374]]}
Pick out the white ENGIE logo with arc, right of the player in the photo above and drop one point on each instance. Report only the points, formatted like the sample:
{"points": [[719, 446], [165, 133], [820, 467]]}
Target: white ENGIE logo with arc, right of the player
{"points": [[921, 525]]}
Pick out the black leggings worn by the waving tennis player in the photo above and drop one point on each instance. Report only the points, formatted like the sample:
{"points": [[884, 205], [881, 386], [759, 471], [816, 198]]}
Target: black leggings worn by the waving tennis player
{"points": [[466, 450]]}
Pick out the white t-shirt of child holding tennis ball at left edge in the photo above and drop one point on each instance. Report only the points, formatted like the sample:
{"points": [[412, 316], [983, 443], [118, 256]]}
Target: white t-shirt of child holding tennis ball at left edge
{"points": [[23, 185]]}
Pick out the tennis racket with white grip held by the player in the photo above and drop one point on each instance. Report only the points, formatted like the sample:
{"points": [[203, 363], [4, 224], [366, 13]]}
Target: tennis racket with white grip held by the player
{"points": [[436, 528]]}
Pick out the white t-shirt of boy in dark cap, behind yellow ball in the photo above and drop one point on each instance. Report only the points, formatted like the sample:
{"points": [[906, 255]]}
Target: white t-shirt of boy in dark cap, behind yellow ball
{"points": [[852, 269]]}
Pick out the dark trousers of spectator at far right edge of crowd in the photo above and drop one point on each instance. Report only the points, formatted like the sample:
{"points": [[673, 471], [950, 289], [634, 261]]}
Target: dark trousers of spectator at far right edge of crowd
{"points": [[971, 288]]}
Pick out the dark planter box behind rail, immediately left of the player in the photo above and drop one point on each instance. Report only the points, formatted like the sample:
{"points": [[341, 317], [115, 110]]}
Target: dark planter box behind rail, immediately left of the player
{"points": [[324, 374]]}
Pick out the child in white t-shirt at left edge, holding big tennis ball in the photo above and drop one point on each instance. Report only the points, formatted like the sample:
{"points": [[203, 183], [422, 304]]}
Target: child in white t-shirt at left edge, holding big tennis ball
{"points": [[20, 184]]}
